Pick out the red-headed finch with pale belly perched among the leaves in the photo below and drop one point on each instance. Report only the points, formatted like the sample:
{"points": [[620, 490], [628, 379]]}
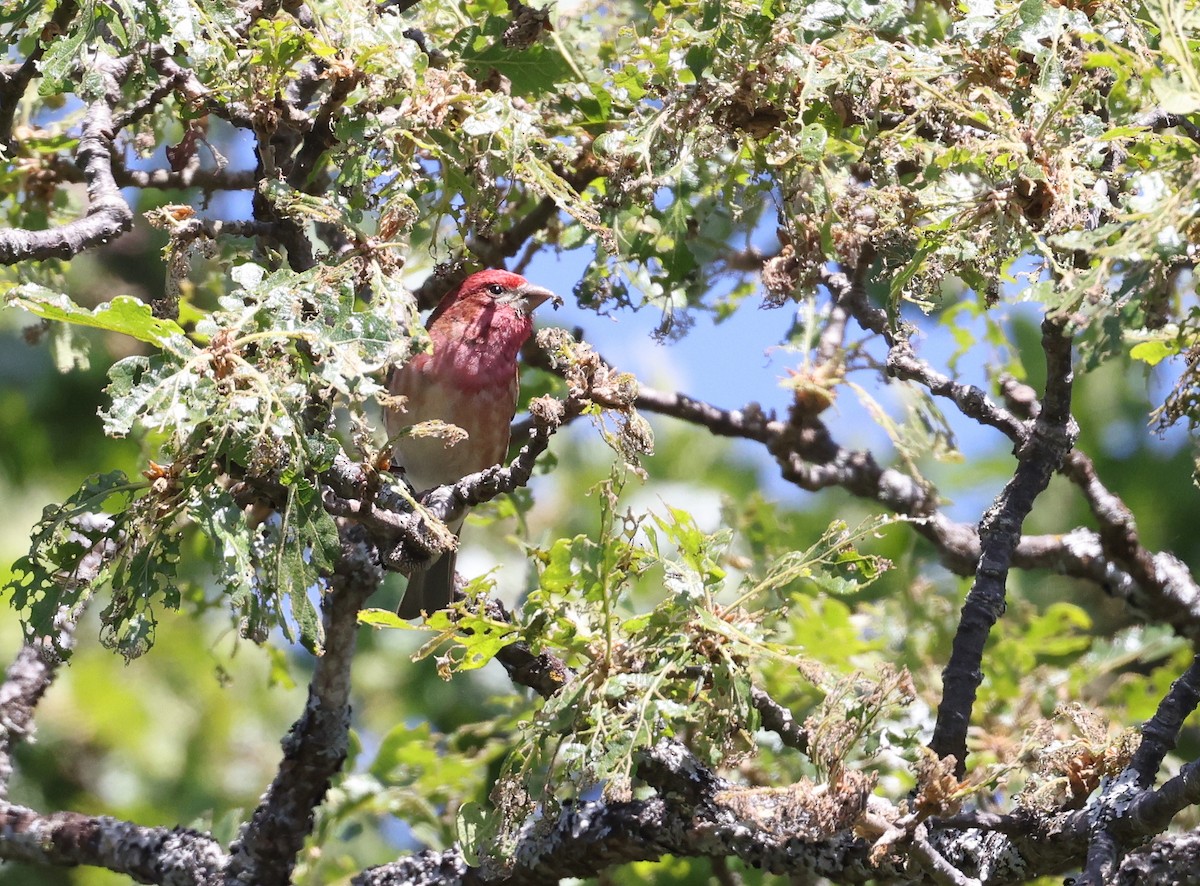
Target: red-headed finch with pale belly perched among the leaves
{"points": [[471, 381]]}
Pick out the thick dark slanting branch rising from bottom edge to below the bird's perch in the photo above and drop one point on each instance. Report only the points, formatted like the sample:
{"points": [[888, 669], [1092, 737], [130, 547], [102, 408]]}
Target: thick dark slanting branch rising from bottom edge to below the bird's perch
{"points": [[315, 750]]}
